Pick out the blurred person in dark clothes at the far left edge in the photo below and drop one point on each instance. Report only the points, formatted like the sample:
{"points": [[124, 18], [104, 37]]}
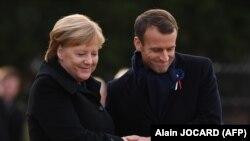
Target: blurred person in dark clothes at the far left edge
{"points": [[12, 114]]}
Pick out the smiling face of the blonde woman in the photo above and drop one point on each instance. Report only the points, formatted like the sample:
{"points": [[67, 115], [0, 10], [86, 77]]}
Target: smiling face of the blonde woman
{"points": [[79, 60]]}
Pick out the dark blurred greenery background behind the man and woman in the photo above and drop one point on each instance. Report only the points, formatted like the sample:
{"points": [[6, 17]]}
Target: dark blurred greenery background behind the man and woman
{"points": [[218, 29]]}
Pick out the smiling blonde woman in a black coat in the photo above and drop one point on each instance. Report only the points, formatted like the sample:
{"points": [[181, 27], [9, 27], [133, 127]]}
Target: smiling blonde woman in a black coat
{"points": [[64, 101]]}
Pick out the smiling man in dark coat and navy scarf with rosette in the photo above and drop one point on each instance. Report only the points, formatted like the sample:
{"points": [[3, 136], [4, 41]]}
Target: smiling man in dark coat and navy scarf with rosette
{"points": [[162, 86]]}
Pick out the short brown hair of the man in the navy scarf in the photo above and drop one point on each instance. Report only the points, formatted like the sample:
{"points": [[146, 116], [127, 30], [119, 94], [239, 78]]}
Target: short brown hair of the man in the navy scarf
{"points": [[159, 18]]}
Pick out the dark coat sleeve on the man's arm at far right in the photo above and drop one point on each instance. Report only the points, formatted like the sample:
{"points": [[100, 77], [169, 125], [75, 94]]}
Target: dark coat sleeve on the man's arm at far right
{"points": [[209, 103]]}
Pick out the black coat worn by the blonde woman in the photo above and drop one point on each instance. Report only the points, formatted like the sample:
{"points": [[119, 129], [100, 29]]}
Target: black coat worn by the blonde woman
{"points": [[60, 109]]}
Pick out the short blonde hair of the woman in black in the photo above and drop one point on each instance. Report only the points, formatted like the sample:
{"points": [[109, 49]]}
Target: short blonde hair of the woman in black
{"points": [[73, 30]]}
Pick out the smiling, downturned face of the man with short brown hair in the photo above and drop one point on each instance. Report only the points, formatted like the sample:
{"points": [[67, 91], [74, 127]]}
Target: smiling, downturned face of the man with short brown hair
{"points": [[158, 50]]}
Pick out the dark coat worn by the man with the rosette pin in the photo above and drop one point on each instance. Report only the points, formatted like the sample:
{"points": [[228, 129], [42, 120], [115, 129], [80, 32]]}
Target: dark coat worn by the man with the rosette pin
{"points": [[198, 102]]}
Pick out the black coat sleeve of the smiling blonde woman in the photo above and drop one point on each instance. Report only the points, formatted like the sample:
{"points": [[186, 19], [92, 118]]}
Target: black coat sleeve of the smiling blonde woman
{"points": [[56, 115]]}
